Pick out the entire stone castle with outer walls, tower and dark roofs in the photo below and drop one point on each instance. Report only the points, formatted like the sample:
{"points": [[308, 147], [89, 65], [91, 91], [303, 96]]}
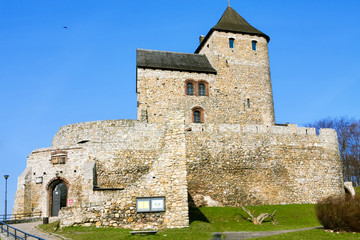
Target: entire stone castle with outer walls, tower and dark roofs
{"points": [[205, 135]]}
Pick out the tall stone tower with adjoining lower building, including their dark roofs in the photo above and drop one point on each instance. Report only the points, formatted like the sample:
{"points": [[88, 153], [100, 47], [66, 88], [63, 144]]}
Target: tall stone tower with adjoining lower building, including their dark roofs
{"points": [[238, 91]]}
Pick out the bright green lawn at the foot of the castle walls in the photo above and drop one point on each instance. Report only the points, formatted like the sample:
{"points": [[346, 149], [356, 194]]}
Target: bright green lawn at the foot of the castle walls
{"points": [[207, 220]]}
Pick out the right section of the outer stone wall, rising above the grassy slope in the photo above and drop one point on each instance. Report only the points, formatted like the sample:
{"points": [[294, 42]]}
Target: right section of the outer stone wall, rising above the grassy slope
{"points": [[230, 165]]}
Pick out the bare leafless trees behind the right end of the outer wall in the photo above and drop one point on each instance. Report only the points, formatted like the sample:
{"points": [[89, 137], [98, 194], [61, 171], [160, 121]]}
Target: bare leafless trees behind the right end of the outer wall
{"points": [[348, 131]]}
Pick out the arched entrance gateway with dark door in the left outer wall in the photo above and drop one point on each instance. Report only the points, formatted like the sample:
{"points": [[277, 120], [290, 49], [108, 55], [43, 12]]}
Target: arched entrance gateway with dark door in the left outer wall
{"points": [[58, 193]]}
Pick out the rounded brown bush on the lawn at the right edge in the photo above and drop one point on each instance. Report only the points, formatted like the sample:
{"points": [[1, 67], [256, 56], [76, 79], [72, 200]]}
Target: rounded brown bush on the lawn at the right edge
{"points": [[339, 214]]}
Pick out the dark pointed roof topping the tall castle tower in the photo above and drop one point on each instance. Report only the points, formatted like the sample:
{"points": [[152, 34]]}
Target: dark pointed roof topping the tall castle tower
{"points": [[231, 21]]}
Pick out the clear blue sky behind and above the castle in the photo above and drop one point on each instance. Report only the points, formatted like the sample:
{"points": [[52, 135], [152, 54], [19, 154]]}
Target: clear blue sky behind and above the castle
{"points": [[52, 76]]}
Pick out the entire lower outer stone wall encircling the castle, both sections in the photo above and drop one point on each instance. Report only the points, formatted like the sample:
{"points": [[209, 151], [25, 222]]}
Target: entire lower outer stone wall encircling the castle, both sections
{"points": [[111, 163]]}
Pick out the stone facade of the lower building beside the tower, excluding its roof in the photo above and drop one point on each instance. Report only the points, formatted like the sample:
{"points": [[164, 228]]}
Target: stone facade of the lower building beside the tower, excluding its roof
{"points": [[161, 90]]}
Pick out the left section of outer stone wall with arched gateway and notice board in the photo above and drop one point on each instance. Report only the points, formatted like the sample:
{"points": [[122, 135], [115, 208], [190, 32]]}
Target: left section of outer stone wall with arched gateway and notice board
{"points": [[119, 161]]}
